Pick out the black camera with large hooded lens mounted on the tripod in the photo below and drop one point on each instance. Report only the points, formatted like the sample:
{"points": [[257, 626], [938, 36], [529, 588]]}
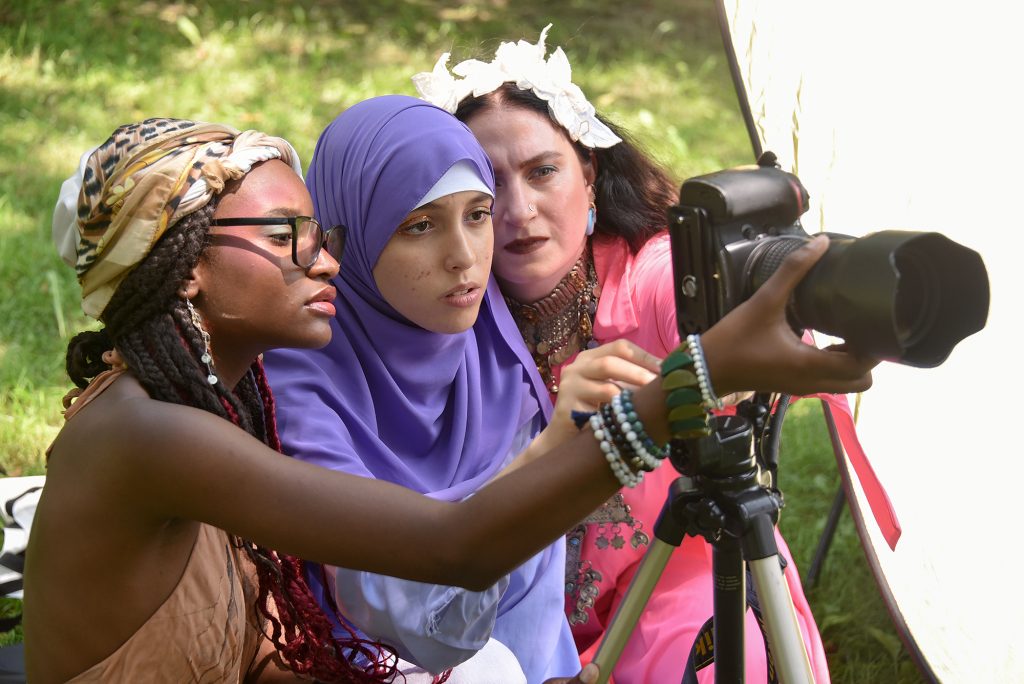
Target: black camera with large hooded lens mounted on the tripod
{"points": [[904, 296]]}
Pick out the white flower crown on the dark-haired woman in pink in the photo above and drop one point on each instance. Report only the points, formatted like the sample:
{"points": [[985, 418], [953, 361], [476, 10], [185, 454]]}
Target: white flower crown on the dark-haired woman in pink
{"points": [[523, 64]]}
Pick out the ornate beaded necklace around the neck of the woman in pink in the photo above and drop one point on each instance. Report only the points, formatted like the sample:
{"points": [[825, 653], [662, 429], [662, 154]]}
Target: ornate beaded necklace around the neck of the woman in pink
{"points": [[563, 323]]}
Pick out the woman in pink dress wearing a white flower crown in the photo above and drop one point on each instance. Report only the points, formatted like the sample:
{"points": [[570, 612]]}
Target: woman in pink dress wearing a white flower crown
{"points": [[582, 256]]}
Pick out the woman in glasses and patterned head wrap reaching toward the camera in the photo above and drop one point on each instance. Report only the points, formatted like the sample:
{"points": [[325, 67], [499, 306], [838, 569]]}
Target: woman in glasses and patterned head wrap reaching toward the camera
{"points": [[165, 544]]}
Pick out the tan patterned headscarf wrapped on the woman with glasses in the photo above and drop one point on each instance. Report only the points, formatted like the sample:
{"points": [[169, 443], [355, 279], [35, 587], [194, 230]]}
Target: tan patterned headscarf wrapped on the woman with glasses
{"points": [[145, 179]]}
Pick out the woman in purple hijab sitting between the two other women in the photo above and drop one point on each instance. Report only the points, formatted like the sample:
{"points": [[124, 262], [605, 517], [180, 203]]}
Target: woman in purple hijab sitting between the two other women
{"points": [[441, 413]]}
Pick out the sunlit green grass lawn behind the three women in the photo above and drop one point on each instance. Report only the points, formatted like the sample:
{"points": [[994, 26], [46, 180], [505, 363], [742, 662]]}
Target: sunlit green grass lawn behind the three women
{"points": [[70, 72]]}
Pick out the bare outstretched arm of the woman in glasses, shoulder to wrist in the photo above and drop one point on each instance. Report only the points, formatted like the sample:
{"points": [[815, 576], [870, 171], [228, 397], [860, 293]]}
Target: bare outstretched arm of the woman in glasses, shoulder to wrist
{"points": [[199, 467]]}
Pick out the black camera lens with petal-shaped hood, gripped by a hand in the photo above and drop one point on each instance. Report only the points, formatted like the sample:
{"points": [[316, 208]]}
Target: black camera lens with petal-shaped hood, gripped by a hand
{"points": [[904, 296]]}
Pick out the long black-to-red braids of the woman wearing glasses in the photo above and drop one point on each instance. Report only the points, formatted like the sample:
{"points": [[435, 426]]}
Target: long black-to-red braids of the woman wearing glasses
{"points": [[151, 327]]}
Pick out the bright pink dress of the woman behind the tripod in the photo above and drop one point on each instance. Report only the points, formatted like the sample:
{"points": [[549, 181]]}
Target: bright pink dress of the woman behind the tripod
{"points": [[637, 304]]}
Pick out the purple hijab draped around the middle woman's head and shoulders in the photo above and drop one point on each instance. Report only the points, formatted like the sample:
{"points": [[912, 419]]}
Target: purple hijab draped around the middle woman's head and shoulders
{"points": [[388, 399]]}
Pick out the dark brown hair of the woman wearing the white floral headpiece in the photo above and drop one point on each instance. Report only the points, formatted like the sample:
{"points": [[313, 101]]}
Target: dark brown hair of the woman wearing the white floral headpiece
{"points": [[633, 193]]}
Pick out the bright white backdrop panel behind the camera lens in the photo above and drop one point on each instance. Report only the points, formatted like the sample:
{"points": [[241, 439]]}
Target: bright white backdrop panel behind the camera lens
{"points": [[907, 115]]}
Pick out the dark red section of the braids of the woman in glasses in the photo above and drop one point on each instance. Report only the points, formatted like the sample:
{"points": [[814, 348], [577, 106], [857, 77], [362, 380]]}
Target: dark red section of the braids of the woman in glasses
{"points": [[303, 632]]}
